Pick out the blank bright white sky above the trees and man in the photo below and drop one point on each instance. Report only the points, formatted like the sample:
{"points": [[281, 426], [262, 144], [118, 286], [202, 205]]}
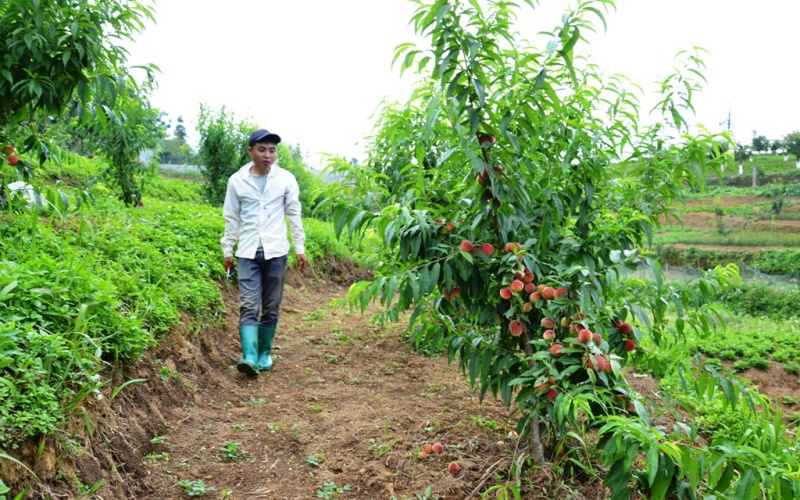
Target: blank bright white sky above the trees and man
{"points": [[316, 71]]}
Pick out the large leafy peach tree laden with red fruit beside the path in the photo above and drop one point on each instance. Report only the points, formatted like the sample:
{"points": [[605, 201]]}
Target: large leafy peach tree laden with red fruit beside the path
{"points": [[510, 193]]}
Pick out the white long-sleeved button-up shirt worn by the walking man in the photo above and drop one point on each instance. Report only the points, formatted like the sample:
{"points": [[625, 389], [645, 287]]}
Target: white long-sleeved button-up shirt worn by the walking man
{"points": [[255, 218]]}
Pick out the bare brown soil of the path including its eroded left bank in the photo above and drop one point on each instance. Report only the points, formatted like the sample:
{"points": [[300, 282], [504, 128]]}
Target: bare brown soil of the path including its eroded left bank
{"points": [[347, 402]]}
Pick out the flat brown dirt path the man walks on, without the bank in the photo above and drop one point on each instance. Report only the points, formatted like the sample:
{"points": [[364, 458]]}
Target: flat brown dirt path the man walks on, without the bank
{"points": [[347, 403]]}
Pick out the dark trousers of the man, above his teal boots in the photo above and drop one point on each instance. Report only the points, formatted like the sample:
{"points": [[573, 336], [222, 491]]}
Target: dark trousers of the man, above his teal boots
{"points": [[261, 284]]}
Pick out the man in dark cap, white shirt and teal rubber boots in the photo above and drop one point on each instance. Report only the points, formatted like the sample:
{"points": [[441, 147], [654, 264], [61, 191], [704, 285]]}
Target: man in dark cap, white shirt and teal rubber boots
{"points": [[259, 195]]}
